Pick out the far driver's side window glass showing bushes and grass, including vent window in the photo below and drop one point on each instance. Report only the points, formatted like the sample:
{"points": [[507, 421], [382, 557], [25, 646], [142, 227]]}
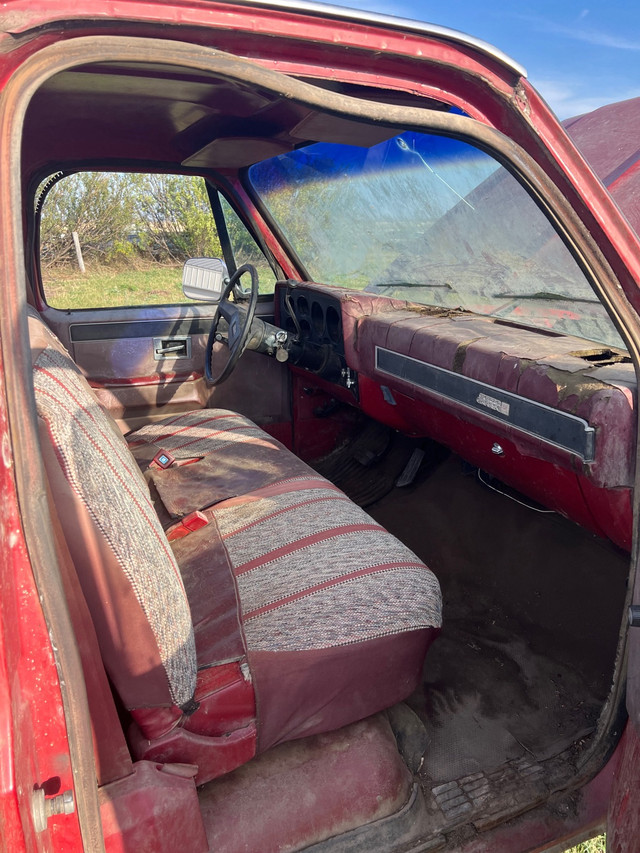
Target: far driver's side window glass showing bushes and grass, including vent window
{"points": [[118, 239]]}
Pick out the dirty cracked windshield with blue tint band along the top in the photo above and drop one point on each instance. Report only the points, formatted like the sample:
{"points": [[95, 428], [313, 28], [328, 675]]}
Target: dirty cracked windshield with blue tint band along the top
{"points": [[432, 220]]}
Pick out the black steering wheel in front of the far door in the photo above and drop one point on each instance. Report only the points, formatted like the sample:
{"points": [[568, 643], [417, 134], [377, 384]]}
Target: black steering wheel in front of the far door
{"points": [[239, 325]]}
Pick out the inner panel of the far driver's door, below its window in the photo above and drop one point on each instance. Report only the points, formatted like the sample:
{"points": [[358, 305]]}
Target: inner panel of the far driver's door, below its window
{"points": [[117, 349]]}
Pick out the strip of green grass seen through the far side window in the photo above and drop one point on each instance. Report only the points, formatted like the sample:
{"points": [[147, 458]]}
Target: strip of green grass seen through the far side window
{"points": [[102, 287]]}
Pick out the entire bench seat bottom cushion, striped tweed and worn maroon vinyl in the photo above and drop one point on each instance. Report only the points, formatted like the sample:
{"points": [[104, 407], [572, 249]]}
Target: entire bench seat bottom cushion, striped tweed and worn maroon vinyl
{"points": [[316, 599]]}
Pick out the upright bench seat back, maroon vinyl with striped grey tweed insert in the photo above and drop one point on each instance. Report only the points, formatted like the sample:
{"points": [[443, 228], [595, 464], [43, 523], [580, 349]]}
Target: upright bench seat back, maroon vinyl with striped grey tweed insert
{"points": [[126, 567]]}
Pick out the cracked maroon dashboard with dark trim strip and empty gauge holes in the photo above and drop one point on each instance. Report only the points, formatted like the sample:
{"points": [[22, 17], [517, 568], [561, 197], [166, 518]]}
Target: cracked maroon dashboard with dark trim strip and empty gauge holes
{"points": [[549, 414]]}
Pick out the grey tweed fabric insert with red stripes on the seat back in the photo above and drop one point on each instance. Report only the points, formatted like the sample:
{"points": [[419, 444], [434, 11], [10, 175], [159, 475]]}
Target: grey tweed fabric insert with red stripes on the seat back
{"points": [[101, 472]]}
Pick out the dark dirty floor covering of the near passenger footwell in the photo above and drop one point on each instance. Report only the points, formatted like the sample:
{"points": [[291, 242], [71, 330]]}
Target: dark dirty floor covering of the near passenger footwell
{"points": [[532, 606]]}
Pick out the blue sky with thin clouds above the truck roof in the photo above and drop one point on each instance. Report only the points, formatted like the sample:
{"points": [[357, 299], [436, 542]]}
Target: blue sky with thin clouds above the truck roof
{"points": [[579, 56]]}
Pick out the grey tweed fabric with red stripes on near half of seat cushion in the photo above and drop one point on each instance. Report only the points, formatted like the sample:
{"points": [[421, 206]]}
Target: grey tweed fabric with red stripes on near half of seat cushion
{"points": [[334, 578]]}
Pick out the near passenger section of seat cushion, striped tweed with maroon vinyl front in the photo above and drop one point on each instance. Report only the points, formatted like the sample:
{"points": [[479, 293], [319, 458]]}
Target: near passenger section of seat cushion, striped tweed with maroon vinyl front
{"points": [[336, 612]]}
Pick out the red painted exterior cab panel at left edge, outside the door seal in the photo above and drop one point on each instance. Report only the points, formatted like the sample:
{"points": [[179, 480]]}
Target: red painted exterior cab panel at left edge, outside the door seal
{"points": [[33, 740]]}
